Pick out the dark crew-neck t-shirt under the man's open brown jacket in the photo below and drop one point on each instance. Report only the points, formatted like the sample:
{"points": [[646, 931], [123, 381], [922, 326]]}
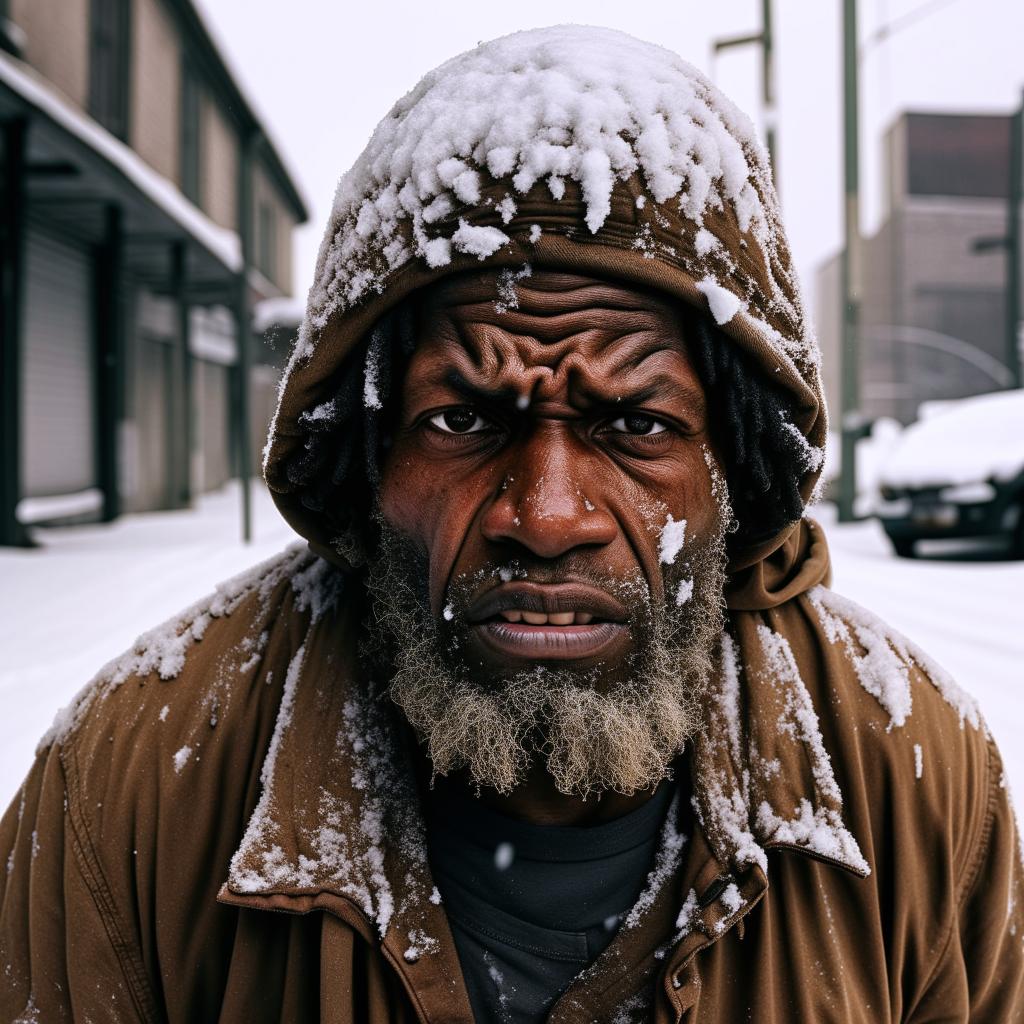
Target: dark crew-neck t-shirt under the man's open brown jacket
{"points": [[532, 906]]}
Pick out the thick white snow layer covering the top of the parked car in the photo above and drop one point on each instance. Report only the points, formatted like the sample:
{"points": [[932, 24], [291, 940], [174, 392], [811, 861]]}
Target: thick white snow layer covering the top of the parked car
{"points": [[975, 440]]}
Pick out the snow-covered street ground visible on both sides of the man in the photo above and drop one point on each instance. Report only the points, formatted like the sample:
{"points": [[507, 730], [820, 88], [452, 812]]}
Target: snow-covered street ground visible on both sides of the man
{"points": [[89, 592]]}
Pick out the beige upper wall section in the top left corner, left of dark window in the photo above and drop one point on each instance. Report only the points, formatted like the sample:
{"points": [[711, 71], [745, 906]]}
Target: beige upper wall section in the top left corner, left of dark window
{"points": [[58, 42]]}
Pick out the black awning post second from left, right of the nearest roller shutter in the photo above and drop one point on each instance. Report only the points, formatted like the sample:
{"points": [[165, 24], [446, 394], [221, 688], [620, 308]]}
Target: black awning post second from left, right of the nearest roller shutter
{"points": [[110, 359]]}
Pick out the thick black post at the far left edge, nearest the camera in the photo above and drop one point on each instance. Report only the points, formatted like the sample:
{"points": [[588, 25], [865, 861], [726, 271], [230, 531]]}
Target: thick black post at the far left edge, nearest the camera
{"points": [[13, 204]]}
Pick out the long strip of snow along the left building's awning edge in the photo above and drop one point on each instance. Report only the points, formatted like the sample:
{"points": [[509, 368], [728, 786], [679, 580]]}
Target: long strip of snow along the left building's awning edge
{"points": [[224, 244]]}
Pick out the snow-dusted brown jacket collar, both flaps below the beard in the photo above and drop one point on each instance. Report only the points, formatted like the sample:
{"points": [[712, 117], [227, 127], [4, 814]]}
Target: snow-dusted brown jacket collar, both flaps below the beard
{"points": [[338, 822]]}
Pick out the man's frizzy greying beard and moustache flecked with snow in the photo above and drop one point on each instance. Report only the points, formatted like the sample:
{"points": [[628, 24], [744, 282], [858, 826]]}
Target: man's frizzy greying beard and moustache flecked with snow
{"points": [[623, 738]]}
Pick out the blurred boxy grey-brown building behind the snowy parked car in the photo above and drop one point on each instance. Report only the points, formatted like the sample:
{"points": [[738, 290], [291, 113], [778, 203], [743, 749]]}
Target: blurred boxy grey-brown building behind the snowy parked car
{"points": [[933, 303]]}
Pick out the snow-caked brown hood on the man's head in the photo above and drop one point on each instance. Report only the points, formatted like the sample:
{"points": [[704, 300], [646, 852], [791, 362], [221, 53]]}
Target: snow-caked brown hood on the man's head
{"points": [[573, 149]]}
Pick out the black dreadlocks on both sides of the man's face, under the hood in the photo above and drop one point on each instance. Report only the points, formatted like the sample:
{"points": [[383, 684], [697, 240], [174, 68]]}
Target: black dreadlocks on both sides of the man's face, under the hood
{"points": [[764, 455]]}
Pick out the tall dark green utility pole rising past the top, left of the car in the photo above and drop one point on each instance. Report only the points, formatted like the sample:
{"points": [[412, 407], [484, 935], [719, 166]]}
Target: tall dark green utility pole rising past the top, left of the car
{"points": [[851, 423]]}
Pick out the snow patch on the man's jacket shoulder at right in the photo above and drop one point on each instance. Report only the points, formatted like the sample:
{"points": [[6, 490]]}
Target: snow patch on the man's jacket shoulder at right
{"points": [[883, 659]]}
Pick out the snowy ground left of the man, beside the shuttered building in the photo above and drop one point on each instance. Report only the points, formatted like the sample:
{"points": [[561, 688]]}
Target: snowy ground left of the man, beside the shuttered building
{"points": [[82, 599]]}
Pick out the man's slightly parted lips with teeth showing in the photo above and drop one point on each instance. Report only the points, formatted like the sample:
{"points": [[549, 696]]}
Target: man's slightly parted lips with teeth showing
{"points": [[548, 622]]}
